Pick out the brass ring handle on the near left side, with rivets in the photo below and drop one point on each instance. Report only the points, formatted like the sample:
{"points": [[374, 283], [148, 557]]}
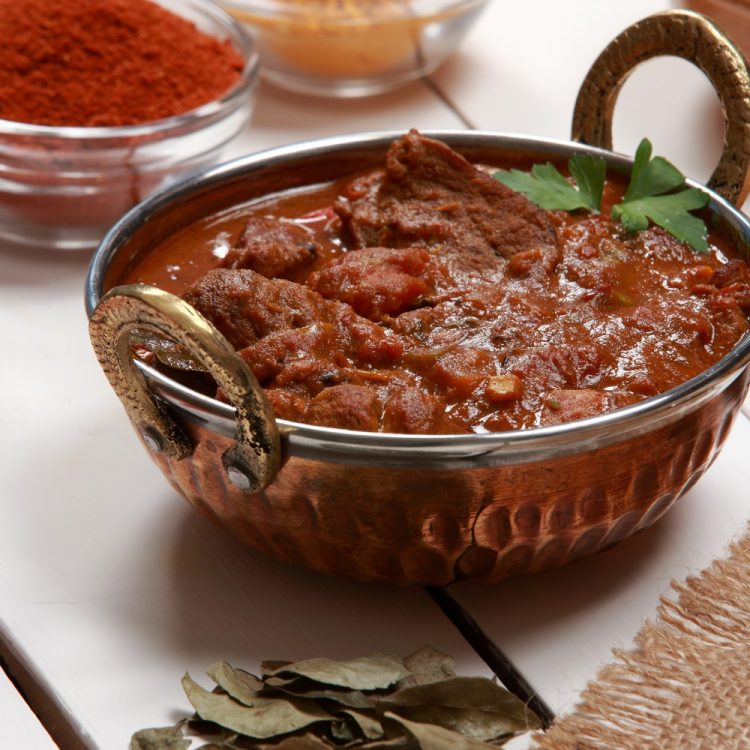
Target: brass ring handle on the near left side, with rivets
{"points": [[253, 462]]}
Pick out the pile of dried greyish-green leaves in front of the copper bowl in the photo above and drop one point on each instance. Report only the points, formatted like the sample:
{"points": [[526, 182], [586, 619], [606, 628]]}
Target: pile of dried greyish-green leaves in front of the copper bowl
{"points": [[375, 703]]}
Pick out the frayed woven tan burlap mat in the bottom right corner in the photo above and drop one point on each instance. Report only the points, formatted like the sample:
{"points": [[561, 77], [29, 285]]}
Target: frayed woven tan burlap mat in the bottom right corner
{"points": [[686, 684]]}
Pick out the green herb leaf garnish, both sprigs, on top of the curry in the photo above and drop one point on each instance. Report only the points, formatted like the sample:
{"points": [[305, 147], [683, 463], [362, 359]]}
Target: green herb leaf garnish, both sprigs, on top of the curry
{"points": [[650, 194]]}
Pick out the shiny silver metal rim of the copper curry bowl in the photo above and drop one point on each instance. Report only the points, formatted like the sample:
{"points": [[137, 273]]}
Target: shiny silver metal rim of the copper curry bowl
{"points": [[444, 451]]}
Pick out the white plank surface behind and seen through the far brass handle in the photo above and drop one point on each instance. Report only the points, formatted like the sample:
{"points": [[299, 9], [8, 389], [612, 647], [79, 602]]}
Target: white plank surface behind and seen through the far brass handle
{"points": [[531, 58]]}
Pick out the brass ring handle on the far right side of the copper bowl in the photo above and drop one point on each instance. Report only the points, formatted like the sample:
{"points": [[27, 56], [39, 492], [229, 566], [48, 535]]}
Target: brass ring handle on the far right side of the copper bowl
{"points": [[693, 37]]}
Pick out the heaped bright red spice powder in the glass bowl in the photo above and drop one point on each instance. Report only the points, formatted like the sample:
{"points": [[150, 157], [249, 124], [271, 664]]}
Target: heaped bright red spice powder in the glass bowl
{"points": [[106, 62]]}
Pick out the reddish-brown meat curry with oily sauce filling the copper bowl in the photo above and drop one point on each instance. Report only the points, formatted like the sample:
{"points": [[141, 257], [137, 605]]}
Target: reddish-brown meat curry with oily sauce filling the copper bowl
{"points": [[427, 298]]}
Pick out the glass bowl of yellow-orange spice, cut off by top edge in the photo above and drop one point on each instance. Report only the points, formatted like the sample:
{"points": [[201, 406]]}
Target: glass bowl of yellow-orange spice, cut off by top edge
{"points": [[354, 47]]}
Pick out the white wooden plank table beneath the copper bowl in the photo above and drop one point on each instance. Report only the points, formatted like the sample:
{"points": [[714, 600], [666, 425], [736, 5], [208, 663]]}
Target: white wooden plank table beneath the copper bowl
{"points": [[111, 586]]}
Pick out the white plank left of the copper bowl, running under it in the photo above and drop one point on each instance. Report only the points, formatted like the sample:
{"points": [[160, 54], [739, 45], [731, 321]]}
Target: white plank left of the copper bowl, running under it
{"points": [[110, 585]]}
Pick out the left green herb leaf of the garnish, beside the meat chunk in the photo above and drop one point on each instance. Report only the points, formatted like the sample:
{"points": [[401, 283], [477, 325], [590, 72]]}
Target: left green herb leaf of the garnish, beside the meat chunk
{"points": [[546, 187]]}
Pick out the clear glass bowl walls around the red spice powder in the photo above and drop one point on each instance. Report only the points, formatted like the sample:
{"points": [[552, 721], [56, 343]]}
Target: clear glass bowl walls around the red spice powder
{"points": [[63, 187]]}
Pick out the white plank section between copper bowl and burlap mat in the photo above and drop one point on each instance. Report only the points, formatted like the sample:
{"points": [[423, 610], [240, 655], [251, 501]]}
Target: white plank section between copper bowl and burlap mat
{"points": [[559, 627]]}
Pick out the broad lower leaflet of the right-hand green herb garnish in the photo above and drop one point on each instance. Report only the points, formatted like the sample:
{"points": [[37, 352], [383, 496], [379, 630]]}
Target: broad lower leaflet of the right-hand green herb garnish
{"points": [[670, 212]]}
